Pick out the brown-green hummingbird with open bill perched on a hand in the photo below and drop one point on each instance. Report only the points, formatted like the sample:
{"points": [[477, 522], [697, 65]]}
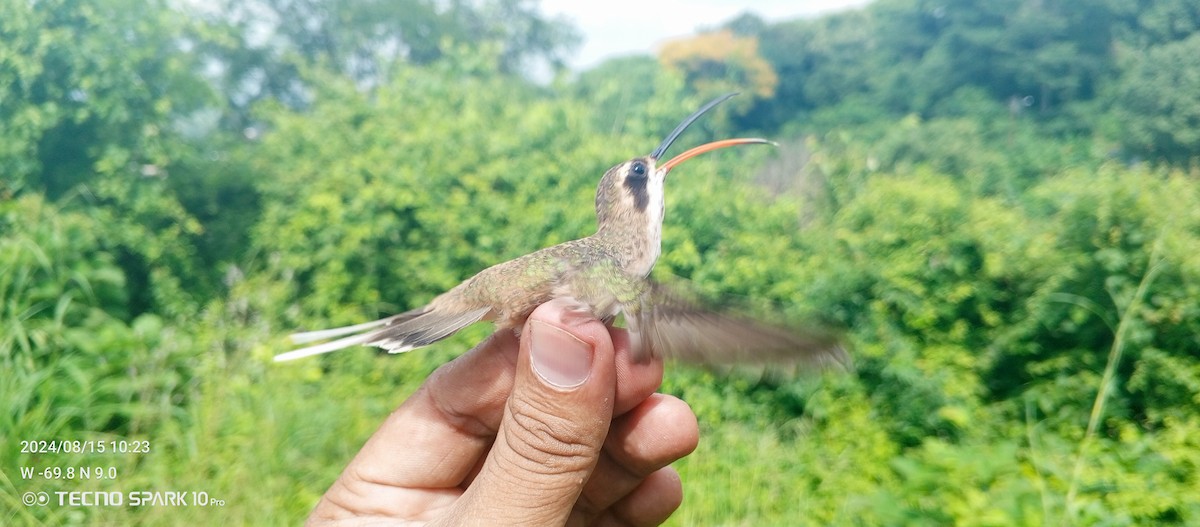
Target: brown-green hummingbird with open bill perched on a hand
{"points": [[608, 276]]}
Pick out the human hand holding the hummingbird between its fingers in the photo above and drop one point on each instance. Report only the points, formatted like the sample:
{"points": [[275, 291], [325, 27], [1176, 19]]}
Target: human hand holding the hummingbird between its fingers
{"points": [[562, 428]]}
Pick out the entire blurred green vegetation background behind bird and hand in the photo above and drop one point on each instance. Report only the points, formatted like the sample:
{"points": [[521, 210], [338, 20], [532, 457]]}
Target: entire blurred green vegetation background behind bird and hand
{"points": [[999, 199]]}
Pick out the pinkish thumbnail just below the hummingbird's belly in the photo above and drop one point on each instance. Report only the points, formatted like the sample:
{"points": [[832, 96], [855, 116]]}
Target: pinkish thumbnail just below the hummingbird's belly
{"points": [[559, 357]]}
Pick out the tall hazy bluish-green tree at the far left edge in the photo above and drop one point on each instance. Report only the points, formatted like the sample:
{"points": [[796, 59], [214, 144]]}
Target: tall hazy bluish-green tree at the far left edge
{"points": [[97, 99]]}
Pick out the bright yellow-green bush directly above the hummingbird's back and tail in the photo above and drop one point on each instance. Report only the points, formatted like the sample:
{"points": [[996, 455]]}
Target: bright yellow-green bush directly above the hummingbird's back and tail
{"points": [[399, 219]]}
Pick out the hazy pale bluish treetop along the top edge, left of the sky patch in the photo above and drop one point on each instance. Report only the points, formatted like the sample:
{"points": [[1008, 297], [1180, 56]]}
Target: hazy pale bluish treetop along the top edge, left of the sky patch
{"points": [[266, 47]]}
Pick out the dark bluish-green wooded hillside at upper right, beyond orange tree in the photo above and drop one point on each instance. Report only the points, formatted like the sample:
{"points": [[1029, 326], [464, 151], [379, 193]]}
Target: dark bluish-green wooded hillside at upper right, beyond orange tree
{"points": [[1071, 69]]}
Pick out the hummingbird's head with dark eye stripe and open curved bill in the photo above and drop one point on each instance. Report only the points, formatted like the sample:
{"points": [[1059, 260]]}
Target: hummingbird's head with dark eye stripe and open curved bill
{"points": [[629, 200]]}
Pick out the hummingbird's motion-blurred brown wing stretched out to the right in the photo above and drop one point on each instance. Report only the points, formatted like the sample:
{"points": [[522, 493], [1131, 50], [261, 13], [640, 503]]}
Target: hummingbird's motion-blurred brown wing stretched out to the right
{"points": [[668, 326]]}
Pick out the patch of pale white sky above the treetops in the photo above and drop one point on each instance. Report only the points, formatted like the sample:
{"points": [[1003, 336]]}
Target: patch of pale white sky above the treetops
{"points": [[615, 28]]}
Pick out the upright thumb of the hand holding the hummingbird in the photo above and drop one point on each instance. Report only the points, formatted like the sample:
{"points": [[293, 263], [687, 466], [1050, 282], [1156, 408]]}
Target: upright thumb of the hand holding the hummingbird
{"points": [[555, 423]]}
